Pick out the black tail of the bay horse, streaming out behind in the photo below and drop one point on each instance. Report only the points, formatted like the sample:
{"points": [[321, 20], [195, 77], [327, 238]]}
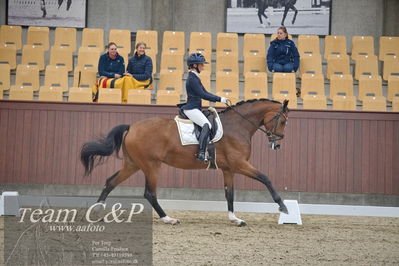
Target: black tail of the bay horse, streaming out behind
{"points": [[102, 147]]}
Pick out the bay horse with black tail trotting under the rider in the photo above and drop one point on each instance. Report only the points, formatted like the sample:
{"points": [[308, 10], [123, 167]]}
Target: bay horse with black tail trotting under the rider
{"points": [[149, 143]]}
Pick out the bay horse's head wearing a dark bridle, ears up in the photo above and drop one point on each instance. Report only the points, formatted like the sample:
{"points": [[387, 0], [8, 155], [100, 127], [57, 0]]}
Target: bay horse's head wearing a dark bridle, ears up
{"points": [[275, 123]]}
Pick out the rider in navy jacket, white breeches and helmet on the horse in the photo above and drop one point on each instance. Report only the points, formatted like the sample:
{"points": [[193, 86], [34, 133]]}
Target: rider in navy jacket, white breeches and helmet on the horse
{"points": [[192, 108]]}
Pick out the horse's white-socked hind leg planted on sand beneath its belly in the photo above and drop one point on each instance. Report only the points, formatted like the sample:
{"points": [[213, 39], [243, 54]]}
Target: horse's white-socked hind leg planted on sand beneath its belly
{"points": [[151, 171]]}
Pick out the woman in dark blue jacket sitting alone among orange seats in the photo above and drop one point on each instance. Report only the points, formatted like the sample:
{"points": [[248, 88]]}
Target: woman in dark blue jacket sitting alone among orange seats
{"points": [[282, 55]]}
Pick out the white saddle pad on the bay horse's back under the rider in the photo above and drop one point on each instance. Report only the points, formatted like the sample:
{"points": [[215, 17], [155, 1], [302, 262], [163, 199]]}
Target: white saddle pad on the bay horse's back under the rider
{"points": [[185, 127]]}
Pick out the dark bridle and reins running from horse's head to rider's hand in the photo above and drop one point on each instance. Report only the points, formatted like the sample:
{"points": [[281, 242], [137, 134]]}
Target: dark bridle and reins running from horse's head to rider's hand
{"points": [[269, 132]]}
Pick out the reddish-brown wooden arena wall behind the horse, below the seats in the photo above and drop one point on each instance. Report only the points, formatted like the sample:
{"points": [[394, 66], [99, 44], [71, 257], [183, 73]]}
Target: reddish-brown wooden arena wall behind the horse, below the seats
{"points": [[323, 151]]}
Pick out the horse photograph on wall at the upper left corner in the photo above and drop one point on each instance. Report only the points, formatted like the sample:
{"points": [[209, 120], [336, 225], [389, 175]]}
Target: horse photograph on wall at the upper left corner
{"points": [[50, 13]]}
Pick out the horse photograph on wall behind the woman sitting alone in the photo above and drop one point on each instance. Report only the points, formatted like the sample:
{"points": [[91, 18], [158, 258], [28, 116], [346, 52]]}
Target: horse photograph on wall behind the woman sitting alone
{"points": [[265, 16]]}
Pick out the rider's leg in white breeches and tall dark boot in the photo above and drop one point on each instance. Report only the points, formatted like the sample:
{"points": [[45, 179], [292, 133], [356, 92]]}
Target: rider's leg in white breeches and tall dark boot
{"points": [[199, 118]]}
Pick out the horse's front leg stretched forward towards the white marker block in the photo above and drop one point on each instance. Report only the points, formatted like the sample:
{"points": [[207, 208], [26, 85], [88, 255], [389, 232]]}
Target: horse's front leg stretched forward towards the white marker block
{"points": [[245, 168]]}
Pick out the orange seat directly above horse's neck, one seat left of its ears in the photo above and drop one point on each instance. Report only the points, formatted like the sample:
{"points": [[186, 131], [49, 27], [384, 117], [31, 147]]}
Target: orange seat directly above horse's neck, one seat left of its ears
{"points": [[255, 85]]}
